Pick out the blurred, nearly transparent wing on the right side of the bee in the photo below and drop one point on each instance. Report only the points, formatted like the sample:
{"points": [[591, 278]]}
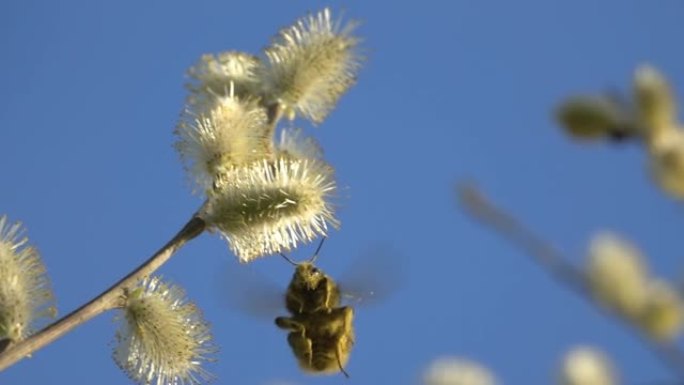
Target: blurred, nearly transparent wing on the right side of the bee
{"points": [[375, 275]]}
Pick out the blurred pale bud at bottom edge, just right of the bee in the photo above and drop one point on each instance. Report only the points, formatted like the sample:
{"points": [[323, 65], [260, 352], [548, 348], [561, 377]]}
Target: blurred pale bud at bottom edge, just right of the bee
{"points": [[457, 371]]}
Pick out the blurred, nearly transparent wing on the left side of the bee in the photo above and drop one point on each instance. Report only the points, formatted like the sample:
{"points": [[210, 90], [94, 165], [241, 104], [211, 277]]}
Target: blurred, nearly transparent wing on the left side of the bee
{"points": [[242, 287]]}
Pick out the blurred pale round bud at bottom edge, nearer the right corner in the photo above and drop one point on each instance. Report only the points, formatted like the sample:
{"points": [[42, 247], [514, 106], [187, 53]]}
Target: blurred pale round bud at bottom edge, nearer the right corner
{"points": [[586, 366]]}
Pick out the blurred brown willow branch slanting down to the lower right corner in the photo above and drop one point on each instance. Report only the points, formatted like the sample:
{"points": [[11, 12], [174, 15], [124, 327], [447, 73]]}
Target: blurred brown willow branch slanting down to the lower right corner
{"points": [[555, 263]]}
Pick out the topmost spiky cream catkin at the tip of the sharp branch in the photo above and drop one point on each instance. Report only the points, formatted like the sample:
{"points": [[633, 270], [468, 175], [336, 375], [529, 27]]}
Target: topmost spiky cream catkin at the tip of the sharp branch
{"points": [[312, 63]]}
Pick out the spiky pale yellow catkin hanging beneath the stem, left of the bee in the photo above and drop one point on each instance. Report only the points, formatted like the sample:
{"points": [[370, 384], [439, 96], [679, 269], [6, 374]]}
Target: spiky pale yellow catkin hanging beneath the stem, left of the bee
{"points": [[163, 338]]}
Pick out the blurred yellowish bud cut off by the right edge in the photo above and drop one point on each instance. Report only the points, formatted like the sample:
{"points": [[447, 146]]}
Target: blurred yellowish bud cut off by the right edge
{"points": [[666, 153]]}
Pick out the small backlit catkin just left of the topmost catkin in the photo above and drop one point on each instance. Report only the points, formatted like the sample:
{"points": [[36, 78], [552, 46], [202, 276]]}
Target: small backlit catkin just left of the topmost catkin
{"points": [[214, 74]]}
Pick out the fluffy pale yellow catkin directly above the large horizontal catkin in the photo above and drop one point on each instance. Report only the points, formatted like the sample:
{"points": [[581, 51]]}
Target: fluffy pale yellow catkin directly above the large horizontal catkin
{"points": [[233, 133]]}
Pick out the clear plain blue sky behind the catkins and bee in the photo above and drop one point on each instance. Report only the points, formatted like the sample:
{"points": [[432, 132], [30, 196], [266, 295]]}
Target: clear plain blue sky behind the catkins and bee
{"points": [[90, 93]]}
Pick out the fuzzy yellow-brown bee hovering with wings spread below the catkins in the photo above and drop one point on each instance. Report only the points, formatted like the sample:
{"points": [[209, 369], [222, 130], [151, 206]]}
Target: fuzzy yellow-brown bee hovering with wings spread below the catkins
{"points": [[321, 310]]}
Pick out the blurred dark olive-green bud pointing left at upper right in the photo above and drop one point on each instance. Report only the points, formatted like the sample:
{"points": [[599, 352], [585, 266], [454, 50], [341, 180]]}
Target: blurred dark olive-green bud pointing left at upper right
{"points": [[596, 117]]}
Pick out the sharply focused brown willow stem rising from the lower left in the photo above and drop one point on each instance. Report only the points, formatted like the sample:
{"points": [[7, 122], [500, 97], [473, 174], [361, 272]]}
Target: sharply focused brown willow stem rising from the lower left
{"points": [[109, 299]]}
